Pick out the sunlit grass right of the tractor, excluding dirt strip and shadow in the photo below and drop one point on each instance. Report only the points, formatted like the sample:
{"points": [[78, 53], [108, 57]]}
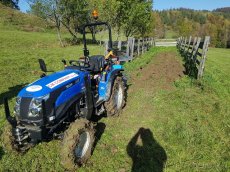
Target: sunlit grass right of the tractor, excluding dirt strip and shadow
{"points": [[190, 123]]}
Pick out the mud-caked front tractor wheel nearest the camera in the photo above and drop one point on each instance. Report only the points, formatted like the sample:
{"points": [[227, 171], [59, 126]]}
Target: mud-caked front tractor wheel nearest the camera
{"points": [[77, 144]]}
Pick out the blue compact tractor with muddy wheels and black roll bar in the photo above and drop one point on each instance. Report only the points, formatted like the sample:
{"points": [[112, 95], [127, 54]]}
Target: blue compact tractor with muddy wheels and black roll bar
{"points": [[62, 104]]}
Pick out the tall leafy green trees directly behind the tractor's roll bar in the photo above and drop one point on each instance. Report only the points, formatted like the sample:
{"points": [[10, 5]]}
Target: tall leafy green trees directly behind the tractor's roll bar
{"points": [[127, 17]]}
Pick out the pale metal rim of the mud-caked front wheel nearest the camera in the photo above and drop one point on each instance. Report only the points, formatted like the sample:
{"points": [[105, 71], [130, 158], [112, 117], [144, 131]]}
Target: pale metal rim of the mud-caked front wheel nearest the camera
{"points": [[83, 144]]}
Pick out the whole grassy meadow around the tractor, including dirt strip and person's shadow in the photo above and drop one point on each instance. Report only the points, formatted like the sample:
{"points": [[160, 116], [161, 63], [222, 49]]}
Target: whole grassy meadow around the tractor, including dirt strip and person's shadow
{"points": [[167, 125]]}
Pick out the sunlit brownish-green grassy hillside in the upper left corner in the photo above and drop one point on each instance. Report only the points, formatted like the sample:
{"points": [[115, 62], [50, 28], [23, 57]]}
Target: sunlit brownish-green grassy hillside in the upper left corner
{"points": [[15, 19]]}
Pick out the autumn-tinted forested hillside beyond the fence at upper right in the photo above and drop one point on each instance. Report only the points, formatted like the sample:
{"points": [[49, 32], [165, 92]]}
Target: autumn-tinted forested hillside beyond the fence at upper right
{"points": [[188, 22]]}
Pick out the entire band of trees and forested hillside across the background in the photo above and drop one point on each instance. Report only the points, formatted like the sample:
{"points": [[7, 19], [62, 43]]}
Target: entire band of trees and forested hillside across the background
{"points": [[132, 18]]}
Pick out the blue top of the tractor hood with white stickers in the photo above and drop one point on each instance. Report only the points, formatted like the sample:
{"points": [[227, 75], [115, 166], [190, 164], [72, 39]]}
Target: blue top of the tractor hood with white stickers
{"points": [[50, 83]]}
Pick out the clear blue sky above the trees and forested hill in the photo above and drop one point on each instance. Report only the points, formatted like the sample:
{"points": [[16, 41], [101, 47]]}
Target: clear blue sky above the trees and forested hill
{"points": [[167, 4]]}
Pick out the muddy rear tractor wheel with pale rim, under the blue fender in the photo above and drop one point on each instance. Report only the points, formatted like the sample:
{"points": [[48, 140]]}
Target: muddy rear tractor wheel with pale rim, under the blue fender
{"points": [[117, 99]]}
